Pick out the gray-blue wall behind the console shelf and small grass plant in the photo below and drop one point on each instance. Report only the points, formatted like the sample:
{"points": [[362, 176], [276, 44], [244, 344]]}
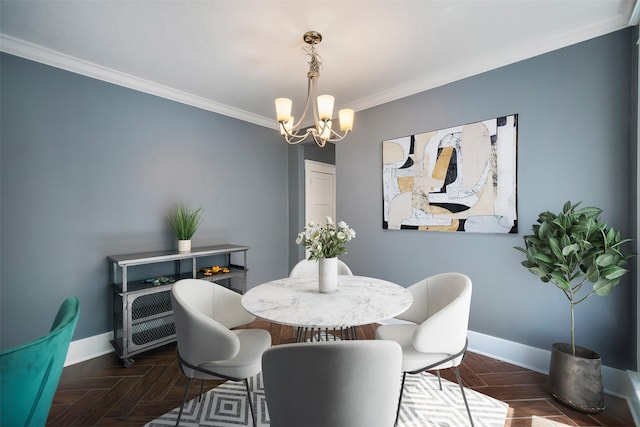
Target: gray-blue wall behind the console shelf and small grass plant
{"points": [[90, 169]]}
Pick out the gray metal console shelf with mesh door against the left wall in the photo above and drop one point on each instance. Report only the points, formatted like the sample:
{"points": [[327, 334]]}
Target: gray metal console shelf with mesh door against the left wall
{"points": [[142, 312]]}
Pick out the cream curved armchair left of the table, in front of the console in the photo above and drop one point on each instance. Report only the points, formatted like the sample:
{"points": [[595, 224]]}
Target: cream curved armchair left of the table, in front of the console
{"points": [[204, 313]]}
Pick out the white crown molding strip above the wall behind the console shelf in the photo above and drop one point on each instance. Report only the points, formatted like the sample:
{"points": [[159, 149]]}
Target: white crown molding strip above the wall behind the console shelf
{"points": [[37, 53]]}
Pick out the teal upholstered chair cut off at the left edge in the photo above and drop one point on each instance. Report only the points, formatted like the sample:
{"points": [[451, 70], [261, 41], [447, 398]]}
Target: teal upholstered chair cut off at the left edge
{"points": [[31, 372]]}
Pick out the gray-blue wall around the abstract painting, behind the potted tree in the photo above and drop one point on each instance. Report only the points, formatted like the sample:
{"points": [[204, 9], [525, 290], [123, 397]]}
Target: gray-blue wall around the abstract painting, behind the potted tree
{"points": [[574, 143]]}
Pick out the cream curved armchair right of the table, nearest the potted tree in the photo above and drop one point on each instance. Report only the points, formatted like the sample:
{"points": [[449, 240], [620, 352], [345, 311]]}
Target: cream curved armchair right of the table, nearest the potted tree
{"points": [[436, 338]]}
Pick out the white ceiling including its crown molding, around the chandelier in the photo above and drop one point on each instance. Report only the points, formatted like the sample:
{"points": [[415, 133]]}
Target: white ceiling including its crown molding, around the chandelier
{"points": [[235, 57]]}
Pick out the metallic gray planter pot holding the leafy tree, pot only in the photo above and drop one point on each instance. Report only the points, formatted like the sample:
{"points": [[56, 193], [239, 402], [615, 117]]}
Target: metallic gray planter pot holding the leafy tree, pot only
{"points": [[576, 381]]}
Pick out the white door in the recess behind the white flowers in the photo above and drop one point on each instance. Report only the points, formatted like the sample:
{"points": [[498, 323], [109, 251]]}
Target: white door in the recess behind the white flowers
{"points": [[320, 191]]}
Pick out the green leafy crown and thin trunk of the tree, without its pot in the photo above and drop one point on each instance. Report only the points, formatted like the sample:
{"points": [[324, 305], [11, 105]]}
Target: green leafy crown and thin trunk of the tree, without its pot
{"points": [[572, 248]]}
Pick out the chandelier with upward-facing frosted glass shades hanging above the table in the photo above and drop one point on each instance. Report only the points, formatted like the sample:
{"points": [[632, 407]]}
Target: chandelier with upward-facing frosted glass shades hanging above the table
{"points": [[322, 106]]}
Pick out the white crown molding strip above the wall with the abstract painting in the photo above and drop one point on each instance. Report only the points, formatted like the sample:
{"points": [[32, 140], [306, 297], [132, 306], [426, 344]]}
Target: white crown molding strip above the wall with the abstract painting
{"points": [[505, 58]]}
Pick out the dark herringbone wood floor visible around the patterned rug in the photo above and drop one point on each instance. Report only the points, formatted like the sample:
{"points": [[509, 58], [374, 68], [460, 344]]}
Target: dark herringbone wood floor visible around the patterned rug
{"points": [[101, 392]]}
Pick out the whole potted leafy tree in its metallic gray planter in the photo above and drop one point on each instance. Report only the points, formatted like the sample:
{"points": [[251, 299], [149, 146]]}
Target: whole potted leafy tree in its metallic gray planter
{"points": [[570, 249]]}
